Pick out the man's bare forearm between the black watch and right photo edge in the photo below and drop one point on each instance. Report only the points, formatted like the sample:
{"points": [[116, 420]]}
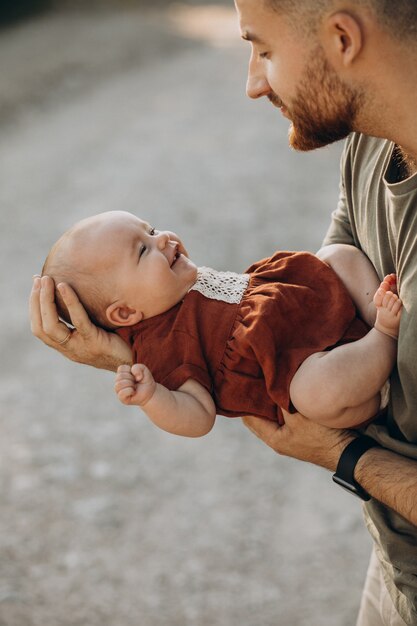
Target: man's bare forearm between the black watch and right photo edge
{"points": [[391, 479]]}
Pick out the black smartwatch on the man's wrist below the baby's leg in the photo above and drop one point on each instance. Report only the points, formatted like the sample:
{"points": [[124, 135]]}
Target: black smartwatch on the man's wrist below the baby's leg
{"points": [[347, 463]]}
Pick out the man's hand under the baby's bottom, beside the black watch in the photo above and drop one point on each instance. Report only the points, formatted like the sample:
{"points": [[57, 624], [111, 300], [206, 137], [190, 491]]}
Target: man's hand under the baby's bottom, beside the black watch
{"points": [[302, 439]]}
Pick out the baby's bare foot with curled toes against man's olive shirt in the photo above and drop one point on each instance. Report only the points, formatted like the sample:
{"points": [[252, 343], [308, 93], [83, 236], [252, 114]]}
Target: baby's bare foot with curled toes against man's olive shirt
{"points": [[388, 307]]}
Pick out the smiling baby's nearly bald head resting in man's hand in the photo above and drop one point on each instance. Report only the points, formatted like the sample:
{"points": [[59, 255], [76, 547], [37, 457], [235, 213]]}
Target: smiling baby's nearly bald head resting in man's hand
{"points": [[121, 268]]}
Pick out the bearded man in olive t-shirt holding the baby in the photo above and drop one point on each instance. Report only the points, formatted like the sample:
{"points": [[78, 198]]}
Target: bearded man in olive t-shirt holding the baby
{"points": [[333, 68]]}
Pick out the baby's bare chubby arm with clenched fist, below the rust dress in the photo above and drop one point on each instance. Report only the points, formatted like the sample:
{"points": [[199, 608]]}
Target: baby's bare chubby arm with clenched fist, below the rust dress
{"points": [[189, 411]]}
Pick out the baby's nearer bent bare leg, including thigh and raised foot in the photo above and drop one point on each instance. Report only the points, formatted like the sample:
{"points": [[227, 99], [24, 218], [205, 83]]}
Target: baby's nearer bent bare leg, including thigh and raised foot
{"points": [[341, 387]]}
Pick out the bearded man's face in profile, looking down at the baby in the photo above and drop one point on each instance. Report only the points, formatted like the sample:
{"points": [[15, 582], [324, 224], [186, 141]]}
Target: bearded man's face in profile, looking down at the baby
{"points": [[293, 73]]}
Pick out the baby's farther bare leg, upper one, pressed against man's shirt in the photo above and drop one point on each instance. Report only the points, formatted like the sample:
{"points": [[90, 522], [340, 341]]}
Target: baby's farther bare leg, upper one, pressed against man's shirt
{"points": [[357, 274]]}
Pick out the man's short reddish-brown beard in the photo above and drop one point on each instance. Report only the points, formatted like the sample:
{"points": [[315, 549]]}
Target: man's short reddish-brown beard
{"points": [[324, 109]]}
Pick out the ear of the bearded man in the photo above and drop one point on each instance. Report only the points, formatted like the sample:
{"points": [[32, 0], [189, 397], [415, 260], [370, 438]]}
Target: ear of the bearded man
{"points": [[342, 38]]}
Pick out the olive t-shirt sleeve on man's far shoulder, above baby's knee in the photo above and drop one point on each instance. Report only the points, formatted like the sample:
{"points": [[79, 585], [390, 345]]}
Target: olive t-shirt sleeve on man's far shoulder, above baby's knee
{"points": [[340, 228]]}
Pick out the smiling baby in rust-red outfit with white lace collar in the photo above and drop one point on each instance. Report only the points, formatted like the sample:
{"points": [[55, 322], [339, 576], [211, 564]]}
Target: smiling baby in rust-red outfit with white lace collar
{"points": [[282, 335]]}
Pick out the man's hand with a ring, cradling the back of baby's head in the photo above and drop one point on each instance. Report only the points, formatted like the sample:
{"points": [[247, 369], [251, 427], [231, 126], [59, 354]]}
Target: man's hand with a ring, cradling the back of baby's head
{"points": [[86, 343]]}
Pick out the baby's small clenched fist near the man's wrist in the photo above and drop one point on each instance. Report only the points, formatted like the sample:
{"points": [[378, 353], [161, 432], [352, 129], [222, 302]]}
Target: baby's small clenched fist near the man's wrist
{"points": [[134, 384]]}
